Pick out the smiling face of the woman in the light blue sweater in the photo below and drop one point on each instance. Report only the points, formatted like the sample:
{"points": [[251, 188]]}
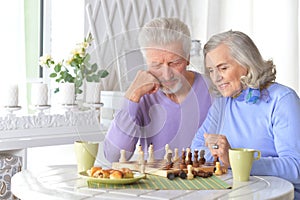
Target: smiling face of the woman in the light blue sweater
{"points": [[224, 71]]}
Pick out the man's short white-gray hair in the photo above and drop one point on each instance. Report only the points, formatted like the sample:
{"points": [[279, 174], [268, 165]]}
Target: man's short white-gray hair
{"points": [[165, 31]]}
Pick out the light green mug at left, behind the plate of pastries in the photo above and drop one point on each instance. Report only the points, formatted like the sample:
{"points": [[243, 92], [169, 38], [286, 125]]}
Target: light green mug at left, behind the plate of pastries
{"points": [[86, 153]]}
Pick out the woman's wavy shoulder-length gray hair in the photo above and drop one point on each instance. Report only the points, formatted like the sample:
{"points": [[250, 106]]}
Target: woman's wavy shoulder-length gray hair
{"points": [[245, 52]]}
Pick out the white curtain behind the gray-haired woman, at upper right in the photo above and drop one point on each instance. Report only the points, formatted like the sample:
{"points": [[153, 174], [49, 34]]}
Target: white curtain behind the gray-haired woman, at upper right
{"points": [[272, 24]]}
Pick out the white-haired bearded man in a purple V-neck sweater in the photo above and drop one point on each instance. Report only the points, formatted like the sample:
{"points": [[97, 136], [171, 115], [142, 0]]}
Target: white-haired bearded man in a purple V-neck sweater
{"points": [[165, 104]]}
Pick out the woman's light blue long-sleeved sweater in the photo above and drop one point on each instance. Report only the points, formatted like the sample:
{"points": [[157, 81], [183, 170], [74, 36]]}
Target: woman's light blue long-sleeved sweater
{"points": [[271, 125]]}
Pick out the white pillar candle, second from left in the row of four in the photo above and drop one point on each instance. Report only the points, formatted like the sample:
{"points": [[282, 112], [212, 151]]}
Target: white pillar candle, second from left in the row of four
{"points": [[39, 94]]}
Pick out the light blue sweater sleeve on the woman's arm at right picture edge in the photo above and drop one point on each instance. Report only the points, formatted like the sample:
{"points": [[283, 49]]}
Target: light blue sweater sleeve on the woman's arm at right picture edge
{"points": [[286, 126]]}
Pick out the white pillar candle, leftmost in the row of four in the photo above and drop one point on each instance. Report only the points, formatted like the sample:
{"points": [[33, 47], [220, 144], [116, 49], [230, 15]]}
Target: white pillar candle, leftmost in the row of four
{"points": [[11, 97]]}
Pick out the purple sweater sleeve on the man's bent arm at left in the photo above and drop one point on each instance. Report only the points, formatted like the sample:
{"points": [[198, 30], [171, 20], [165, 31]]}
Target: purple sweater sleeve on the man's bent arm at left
{"points": [[122, 133]]}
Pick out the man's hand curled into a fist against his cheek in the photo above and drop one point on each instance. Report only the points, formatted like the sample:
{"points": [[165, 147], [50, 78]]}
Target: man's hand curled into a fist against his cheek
{"points": [[144, 83]]}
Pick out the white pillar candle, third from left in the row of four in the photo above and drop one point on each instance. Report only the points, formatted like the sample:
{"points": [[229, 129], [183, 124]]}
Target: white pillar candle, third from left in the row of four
{"points": [[67, 93]]}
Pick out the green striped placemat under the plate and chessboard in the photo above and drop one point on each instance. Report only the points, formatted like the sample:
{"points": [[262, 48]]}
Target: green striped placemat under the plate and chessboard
{"points": [[162, 183]]}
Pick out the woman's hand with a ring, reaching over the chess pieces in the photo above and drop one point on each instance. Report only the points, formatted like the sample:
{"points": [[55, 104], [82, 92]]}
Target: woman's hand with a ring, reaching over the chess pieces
{"points": [[218, 146]]}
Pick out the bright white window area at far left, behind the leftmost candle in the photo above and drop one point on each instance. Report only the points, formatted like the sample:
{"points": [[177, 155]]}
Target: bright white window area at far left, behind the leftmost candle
{"points": [[12, 51]]}
